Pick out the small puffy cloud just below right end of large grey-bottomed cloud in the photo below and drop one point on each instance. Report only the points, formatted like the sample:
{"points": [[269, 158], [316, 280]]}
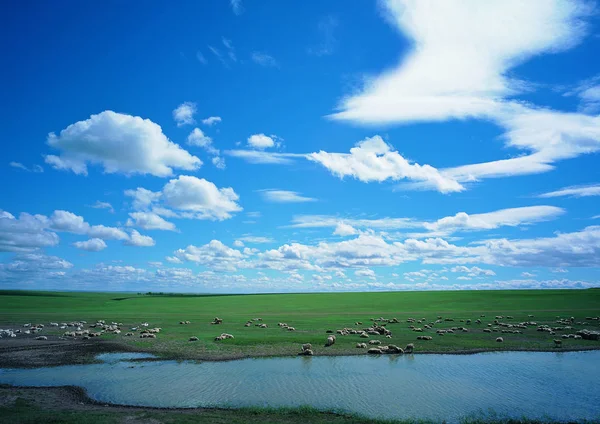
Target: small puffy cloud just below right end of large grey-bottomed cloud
{"points": [[201, 197]]}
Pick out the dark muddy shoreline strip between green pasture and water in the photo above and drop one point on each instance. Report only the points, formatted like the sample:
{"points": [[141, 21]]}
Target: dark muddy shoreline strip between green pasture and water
{"points": [[30, 353]]}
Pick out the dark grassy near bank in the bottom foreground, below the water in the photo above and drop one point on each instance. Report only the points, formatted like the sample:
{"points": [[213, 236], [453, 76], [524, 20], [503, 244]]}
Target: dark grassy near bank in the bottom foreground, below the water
{"points": [[70, 405]]}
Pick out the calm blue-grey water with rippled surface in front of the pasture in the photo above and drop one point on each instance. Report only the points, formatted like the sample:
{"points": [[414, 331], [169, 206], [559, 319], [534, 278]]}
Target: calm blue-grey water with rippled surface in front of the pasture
{"points": [[559, 386]]}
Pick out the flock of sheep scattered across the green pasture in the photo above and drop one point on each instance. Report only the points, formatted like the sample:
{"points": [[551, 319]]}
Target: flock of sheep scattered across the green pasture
{"points": [[377, 328]]}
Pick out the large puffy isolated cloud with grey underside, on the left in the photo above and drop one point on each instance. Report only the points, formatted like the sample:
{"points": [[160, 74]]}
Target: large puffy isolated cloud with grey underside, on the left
{"points": [[120, 143]]}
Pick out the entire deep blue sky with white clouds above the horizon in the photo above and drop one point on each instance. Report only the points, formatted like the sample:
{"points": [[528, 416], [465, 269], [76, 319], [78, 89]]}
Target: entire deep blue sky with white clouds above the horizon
{"points": [[310, 146]]}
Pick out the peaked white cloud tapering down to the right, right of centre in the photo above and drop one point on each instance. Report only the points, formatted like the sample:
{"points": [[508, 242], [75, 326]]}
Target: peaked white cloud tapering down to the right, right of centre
{"points": [[372, 159]]}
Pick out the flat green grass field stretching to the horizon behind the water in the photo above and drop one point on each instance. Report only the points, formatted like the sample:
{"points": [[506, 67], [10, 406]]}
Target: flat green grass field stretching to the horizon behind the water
{"points": [[311, 315]]}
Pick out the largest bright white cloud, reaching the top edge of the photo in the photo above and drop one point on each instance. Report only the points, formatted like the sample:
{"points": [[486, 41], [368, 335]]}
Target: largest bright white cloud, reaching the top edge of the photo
{"points": [[474, 44]]}
